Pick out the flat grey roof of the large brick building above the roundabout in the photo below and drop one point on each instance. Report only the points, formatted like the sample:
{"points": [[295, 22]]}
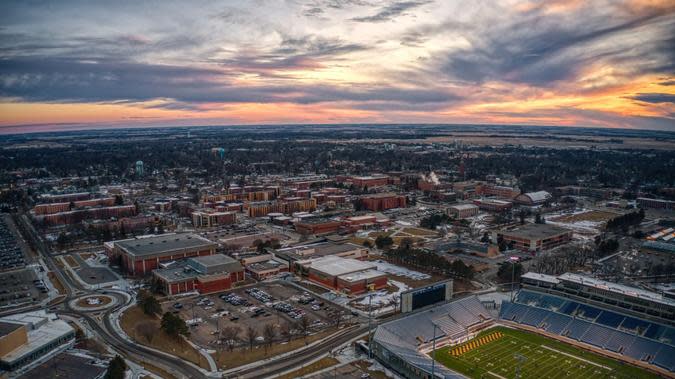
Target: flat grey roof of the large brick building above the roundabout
{"points": [[163, 243]]}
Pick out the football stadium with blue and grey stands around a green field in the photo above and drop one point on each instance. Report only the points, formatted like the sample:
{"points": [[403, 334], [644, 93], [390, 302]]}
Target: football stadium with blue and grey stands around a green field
{"points": [[567, 326]]}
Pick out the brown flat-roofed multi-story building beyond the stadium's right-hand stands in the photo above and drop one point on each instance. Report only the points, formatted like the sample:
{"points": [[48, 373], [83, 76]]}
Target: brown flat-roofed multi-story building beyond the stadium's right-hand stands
{"points": [[533, 237]]}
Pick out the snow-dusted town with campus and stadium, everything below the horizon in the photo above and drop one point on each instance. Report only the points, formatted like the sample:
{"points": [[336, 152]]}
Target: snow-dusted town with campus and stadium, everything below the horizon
{"points": [[209, 258]]}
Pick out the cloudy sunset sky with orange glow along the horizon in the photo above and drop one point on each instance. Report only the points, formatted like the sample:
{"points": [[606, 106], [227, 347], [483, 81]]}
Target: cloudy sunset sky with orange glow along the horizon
{"points": [[67, 65]]}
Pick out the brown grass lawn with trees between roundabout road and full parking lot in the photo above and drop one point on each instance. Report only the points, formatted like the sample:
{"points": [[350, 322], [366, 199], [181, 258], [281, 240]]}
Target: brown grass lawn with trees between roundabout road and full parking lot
{"points": [[160, 341]]}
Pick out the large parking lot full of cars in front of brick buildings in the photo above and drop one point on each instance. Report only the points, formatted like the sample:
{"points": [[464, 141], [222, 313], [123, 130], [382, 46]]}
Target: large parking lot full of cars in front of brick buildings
{"points": [[277, 303]]}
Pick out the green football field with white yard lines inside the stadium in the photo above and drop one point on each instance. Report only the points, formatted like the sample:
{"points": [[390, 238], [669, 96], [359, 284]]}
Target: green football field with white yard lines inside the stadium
{"points": [[537, 357]]}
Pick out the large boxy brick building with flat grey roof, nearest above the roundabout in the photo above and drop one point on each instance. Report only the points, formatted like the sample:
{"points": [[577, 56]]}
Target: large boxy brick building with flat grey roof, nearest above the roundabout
{"points": [[139, 256]]}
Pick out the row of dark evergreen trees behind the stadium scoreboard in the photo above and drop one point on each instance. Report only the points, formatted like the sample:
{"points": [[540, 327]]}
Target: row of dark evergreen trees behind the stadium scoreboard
{"points": [[406, 254]]}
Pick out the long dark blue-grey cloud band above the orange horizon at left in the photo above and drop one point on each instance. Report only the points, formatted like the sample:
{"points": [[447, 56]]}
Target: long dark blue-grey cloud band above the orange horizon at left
{"points": [[60, 80]]}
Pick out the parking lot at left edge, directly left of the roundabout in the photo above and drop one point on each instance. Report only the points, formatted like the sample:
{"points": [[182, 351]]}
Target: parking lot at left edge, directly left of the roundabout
{"points": [[21, 287]]}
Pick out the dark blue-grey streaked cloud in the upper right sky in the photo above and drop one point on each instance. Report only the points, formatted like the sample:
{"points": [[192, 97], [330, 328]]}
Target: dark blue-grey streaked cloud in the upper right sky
{"points": [[540, 49]]}
